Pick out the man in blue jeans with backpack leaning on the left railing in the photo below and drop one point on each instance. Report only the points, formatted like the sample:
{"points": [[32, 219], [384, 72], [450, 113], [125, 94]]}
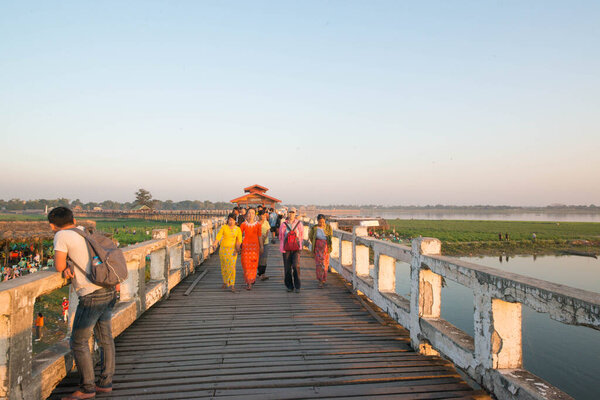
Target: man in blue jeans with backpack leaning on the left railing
{"points": [[79, 255]]}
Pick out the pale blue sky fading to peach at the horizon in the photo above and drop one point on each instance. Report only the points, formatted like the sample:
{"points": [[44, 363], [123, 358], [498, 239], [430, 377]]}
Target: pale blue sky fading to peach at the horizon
{"points": [[384, 102]]}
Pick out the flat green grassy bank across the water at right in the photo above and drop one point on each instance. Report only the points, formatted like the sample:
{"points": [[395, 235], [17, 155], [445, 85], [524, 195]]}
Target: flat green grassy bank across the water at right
{"points": [[481, 237]]}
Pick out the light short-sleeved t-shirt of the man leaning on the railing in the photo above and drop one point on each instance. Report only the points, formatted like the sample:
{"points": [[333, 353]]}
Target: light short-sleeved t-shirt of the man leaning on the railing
{"points": [[74, 245]]}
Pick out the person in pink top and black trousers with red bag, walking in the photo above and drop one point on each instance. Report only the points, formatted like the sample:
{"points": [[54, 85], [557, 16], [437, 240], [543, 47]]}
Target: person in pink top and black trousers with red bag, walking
{"points": [[291, 234]]}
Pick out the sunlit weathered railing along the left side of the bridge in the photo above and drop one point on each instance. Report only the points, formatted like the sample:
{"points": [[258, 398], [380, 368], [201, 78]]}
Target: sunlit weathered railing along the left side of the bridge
{"points": [[172, 258]]}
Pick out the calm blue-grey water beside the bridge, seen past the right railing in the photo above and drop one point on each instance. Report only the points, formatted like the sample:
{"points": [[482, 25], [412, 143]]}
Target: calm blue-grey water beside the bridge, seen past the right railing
{"points": [[564, 355]]}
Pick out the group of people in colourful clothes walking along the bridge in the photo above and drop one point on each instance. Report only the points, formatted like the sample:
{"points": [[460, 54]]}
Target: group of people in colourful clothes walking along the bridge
{"points": [[247, 235]]}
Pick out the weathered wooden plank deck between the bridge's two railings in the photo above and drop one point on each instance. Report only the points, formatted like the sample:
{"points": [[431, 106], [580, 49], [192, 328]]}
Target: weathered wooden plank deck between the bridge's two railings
{"points": [[271, 344]]}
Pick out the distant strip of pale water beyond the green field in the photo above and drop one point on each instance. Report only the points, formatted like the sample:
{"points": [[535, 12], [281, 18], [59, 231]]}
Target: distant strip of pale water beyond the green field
{"points": [[517, 216]]}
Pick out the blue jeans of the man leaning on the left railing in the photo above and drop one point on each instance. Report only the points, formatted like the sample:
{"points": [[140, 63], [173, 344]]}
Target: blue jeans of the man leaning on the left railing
{"points": [[94, 313]]}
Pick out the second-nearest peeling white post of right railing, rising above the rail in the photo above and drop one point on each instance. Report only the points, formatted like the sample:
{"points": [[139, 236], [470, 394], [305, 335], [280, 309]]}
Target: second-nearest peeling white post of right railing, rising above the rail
{"points": [[425, 291]]}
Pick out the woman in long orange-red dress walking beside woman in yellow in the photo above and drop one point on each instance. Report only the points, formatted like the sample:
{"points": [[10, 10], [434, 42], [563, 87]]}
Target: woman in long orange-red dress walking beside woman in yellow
{"points": [[252, 247]]}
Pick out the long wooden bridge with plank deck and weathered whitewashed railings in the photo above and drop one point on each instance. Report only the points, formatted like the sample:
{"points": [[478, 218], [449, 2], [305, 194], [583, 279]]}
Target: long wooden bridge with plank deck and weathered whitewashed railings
{"points": [[179, 335]]}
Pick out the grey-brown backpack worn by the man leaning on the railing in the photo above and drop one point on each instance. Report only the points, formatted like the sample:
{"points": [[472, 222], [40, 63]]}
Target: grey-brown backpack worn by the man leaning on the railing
{"points": [[113, 268]]}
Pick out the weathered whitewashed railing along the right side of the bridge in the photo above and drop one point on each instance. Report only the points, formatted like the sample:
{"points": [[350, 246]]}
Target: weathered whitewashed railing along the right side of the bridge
{"points": [[493, 357]]}
